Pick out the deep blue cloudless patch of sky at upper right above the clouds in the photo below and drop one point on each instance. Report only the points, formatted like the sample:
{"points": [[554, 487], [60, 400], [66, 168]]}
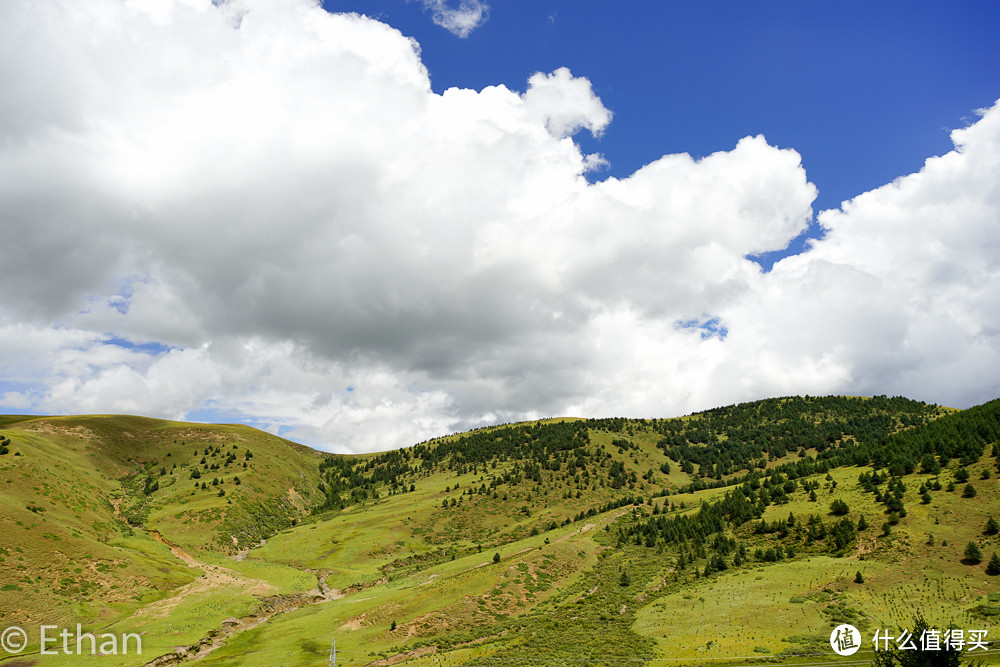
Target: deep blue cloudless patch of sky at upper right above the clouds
{"points": [[864, 91]]}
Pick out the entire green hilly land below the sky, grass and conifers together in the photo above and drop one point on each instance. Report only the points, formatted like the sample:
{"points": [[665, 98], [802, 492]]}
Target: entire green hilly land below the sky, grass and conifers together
{"points": [[738, 535]]}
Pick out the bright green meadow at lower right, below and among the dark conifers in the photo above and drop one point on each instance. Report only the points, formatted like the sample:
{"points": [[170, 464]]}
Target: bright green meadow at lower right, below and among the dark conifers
{"points": [[780, 608]]}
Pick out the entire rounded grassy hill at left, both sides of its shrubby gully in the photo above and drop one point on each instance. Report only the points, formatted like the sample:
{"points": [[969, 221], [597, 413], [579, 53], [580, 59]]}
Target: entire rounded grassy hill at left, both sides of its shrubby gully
{"points": [[70, 557]]}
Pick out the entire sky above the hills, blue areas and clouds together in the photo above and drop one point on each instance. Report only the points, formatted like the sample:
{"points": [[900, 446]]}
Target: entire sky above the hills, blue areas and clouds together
{"points": [[277, 213]]}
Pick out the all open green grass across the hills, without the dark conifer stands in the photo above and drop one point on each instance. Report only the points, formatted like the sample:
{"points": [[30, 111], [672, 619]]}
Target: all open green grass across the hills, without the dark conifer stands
{"points": [[554, 596]]}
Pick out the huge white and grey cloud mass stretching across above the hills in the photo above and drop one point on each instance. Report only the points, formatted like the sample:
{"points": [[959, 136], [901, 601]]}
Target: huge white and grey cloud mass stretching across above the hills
{"points": [[261, 210]]}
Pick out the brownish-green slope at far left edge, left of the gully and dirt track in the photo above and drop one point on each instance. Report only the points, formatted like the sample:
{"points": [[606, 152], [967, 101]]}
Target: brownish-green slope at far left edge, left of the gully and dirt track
{"points": [[68, 557]]}
